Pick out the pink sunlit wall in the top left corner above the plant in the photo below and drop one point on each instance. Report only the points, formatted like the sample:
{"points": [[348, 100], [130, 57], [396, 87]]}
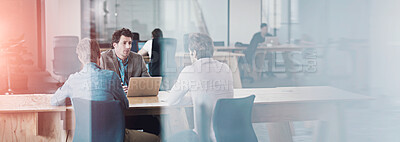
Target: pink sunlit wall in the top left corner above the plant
{"points": [[19, 18]]}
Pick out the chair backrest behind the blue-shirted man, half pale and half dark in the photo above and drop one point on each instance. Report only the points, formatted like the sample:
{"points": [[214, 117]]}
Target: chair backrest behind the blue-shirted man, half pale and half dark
{"points": [[98, 121]]}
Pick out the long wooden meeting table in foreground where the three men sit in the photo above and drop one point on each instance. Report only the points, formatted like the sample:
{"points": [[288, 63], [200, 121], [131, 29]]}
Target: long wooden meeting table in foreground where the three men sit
{"points": [[32, 118]]}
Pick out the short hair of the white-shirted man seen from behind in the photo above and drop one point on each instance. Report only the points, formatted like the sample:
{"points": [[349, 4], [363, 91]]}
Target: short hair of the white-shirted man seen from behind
{"points": [[202, 44]]}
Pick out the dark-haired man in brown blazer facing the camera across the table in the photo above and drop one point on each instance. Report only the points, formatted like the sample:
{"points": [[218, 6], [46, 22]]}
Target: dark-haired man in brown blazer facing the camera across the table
{"points": [[128, 64]]}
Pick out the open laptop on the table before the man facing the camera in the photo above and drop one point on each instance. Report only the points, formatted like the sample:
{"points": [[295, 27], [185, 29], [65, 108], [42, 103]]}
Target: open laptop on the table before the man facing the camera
{"points": [[144, 86]]}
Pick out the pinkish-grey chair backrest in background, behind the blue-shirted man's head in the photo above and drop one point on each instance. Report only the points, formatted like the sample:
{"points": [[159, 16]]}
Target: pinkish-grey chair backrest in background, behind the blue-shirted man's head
{"points": [[66, 60]]}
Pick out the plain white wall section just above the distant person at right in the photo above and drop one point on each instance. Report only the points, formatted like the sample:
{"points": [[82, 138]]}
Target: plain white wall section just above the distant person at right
{"points": [[245, 19]]}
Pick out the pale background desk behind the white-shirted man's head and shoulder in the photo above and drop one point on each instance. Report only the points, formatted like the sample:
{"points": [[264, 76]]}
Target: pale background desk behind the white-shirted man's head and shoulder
{"points": [[231, 59]]}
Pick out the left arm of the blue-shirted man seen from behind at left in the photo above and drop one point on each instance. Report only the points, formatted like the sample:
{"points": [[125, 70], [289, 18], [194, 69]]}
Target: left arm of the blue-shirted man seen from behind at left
{"points": [[61, 95]]}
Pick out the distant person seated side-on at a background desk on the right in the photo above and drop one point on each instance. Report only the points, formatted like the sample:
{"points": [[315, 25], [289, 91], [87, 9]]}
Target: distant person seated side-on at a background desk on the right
{"points": [[258, 38]]}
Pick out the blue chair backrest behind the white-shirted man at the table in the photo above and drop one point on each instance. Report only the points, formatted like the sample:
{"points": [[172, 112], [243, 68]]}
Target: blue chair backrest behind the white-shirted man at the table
{"points": [[232, 120]]}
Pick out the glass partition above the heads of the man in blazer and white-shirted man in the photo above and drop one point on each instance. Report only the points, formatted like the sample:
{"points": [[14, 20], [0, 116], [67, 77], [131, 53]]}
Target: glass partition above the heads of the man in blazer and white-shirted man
{"points": [[174, 17]]}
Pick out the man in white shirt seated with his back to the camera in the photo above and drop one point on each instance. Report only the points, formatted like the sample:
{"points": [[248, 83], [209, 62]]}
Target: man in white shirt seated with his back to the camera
{"points": [[207, 80]]}
